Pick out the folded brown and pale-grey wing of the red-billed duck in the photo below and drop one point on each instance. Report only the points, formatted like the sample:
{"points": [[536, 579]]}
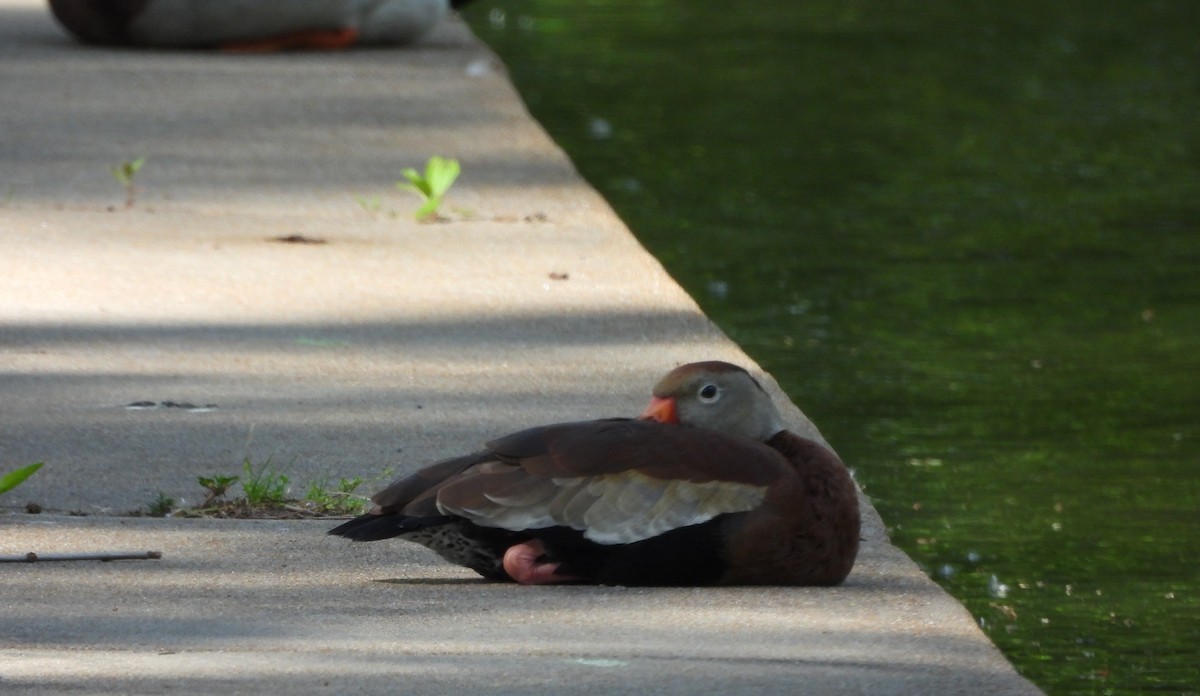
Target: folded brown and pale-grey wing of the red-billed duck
{"points": [[617, 482]]}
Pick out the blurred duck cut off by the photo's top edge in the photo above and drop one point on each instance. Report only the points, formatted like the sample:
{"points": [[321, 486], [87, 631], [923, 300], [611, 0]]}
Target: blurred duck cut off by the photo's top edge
{"points": [[251, 26]]}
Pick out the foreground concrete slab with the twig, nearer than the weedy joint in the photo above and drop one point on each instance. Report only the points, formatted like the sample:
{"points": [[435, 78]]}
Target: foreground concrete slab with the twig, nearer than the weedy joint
{"points": [[271, 607]]}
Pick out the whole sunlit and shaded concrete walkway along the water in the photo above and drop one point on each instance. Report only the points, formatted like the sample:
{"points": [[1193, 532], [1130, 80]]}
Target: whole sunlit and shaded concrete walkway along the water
{"points": [[373, 344]]}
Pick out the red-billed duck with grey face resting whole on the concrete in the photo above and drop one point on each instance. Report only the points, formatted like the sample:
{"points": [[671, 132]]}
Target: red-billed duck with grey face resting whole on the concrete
{"points": [[707, 488]]}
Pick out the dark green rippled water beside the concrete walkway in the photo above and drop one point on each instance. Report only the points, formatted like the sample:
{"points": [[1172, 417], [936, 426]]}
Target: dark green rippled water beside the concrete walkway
{"points": [[967, 239]]}
